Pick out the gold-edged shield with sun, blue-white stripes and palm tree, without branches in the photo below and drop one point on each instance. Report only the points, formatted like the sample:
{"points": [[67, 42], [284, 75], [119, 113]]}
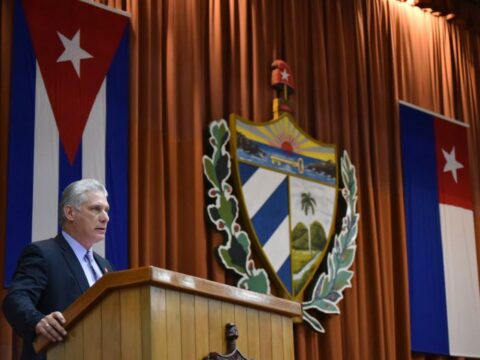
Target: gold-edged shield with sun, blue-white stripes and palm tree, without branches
{"points": [[289, 187]]}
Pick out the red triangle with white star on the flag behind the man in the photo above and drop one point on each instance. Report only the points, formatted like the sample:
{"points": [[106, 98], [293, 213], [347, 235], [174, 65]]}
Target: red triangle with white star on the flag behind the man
{"points": [[74, 43]]}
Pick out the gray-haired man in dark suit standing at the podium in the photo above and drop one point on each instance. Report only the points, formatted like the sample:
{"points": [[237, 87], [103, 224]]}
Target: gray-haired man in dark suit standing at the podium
{"points": [[53, 273]]}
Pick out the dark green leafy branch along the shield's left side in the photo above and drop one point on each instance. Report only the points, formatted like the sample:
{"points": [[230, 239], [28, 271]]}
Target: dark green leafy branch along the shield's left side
{"points": [[236, 253]]}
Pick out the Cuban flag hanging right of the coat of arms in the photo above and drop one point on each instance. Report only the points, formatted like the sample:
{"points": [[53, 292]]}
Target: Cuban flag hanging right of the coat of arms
{"points": [[442, 263]]}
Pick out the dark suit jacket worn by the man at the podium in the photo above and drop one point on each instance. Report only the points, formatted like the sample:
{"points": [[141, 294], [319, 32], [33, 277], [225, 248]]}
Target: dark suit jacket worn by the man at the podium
{"points": [[48, 278]]}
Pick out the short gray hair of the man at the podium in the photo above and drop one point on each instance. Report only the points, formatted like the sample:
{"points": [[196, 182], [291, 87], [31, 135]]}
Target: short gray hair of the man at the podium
{"points": [[75, 195]]}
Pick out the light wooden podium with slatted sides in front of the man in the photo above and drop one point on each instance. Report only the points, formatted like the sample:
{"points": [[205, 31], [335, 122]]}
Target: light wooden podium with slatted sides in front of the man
{"points": [[150, 313]]}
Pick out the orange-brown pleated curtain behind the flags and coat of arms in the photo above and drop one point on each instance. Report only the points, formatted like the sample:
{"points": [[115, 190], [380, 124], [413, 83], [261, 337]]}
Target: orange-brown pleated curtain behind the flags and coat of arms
{"points": [[194, 61]]}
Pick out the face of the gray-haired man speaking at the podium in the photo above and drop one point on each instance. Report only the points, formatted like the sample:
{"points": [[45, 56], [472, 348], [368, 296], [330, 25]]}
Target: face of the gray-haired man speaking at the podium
{"points": [[88, 224]]}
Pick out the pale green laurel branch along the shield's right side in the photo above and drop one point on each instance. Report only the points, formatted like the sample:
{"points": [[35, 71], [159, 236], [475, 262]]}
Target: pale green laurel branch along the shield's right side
{"points": [[328, 290]]}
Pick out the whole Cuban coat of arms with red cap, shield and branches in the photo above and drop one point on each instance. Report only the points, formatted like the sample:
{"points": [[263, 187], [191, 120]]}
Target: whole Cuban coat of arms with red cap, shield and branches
{"points": [[287, 190]]}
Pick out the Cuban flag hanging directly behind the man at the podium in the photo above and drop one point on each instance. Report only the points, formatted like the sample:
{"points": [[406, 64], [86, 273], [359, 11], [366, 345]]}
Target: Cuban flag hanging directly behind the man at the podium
{"points": [[68, 119]]}
